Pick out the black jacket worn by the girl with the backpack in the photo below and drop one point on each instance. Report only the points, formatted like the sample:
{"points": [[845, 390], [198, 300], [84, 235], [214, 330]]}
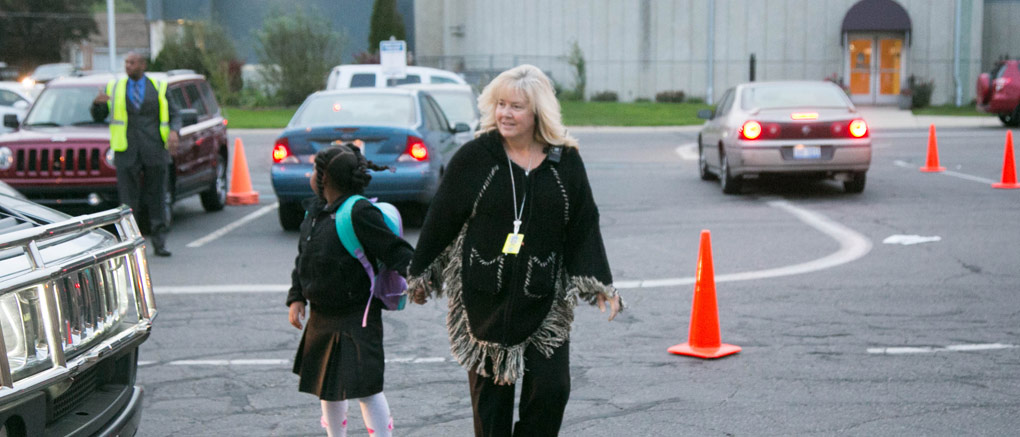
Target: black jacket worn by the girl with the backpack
{"points": [[326, 275]]}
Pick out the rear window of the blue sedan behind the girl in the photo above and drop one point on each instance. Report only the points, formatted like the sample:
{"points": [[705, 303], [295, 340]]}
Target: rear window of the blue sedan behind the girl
{"points": [[369, 109]]}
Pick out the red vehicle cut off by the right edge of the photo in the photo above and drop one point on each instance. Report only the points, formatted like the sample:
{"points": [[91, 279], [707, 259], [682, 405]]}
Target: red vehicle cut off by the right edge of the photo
{"points": [[999, 92]]}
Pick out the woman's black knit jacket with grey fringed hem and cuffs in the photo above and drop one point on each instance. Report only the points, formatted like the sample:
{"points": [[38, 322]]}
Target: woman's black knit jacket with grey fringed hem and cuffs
{"points": [[500, 304]]}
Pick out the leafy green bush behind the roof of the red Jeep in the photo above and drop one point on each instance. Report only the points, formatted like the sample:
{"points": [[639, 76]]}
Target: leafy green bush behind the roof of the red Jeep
{"points": [[208, 50]]}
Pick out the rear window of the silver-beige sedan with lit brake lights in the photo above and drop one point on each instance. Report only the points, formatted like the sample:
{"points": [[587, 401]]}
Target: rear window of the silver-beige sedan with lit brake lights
{"points": [[792, 96]]}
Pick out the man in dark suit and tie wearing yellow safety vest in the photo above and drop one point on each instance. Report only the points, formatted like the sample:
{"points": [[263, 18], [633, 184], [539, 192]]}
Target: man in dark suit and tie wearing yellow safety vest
{"points": [[144, 127]]}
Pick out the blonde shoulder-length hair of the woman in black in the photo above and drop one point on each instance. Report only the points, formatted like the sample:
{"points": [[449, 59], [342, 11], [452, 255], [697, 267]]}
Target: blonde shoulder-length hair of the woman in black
{"points": [[536, 87]]}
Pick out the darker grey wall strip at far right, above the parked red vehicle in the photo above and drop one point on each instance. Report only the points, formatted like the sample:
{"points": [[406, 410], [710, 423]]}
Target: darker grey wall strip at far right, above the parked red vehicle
{"points": [[1001, 33]]}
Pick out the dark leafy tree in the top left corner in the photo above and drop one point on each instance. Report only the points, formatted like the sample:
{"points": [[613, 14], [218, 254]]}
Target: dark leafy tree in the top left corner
{"points": [[34, 32]]}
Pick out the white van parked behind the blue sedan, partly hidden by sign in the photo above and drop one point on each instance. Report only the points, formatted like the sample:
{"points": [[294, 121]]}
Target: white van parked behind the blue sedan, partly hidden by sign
{"points": [[371, 75]]}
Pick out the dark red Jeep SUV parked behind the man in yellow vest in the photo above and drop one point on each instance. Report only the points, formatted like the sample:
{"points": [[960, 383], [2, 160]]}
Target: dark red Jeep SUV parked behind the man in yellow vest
{"points": [[61, 157]]}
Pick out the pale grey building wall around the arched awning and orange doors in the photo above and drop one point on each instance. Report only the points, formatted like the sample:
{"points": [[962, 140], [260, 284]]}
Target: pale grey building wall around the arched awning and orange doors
{"points": [[641, 47]]}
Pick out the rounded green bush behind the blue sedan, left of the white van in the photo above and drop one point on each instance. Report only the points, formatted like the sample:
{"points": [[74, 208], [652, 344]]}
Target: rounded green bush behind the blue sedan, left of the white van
{"points": [[297, 53]]}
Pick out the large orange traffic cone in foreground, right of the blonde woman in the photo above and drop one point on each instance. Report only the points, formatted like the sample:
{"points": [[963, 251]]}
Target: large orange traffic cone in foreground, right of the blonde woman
{"points": [[703, 337]]}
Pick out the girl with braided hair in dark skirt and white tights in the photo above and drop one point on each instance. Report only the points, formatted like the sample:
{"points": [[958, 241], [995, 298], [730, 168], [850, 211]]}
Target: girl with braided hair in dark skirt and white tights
{"points": [[338, 359]]}
